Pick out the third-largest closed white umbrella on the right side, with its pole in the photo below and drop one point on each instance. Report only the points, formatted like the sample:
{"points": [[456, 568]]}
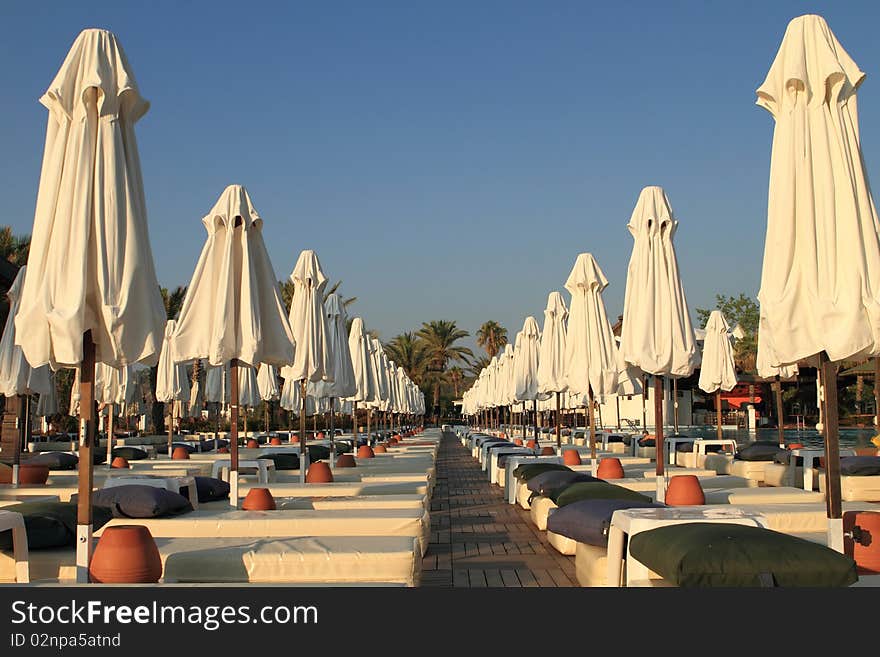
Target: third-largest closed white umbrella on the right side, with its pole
{"points": [[594, 366]]}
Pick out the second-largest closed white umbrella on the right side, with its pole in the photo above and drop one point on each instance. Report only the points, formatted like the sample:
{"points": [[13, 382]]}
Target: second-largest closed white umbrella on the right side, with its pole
{"points": [[657, 335]]}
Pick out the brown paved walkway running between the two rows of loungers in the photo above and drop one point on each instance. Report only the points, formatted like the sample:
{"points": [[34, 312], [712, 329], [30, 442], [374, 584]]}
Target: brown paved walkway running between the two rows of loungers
{"points": [[478, 539]]}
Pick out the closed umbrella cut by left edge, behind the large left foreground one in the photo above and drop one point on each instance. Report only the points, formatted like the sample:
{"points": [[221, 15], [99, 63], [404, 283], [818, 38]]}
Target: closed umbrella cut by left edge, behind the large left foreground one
{"points": [[17, 377]]}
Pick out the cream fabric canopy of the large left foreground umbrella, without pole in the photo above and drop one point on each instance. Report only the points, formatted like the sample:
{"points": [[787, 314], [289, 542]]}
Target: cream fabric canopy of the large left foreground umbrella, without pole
{"points": [[90, 251]]}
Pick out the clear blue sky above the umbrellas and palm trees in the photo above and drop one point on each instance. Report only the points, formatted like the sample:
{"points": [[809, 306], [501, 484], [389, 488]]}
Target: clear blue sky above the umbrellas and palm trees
{"points": [[446, 160]]}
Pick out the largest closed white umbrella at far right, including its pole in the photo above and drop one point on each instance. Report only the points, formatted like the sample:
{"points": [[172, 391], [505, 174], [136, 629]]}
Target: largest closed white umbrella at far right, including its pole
{"points": [[820, 282]]}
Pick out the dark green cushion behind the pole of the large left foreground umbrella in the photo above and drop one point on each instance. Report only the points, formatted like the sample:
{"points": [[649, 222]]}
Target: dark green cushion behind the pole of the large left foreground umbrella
{"points": [[51, 524]]}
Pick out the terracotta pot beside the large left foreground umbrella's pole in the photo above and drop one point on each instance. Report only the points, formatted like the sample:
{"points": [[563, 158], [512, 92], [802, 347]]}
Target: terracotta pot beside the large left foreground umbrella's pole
{"points": [[126, 554]]}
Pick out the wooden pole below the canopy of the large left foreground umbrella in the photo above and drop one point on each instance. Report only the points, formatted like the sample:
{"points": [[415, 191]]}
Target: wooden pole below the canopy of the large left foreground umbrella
{"points": [[87, 433]]}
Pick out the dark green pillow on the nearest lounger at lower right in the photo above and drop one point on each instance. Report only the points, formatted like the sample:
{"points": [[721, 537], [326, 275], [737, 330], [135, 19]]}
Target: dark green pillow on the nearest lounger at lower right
{"points": [[707, 554]]}
